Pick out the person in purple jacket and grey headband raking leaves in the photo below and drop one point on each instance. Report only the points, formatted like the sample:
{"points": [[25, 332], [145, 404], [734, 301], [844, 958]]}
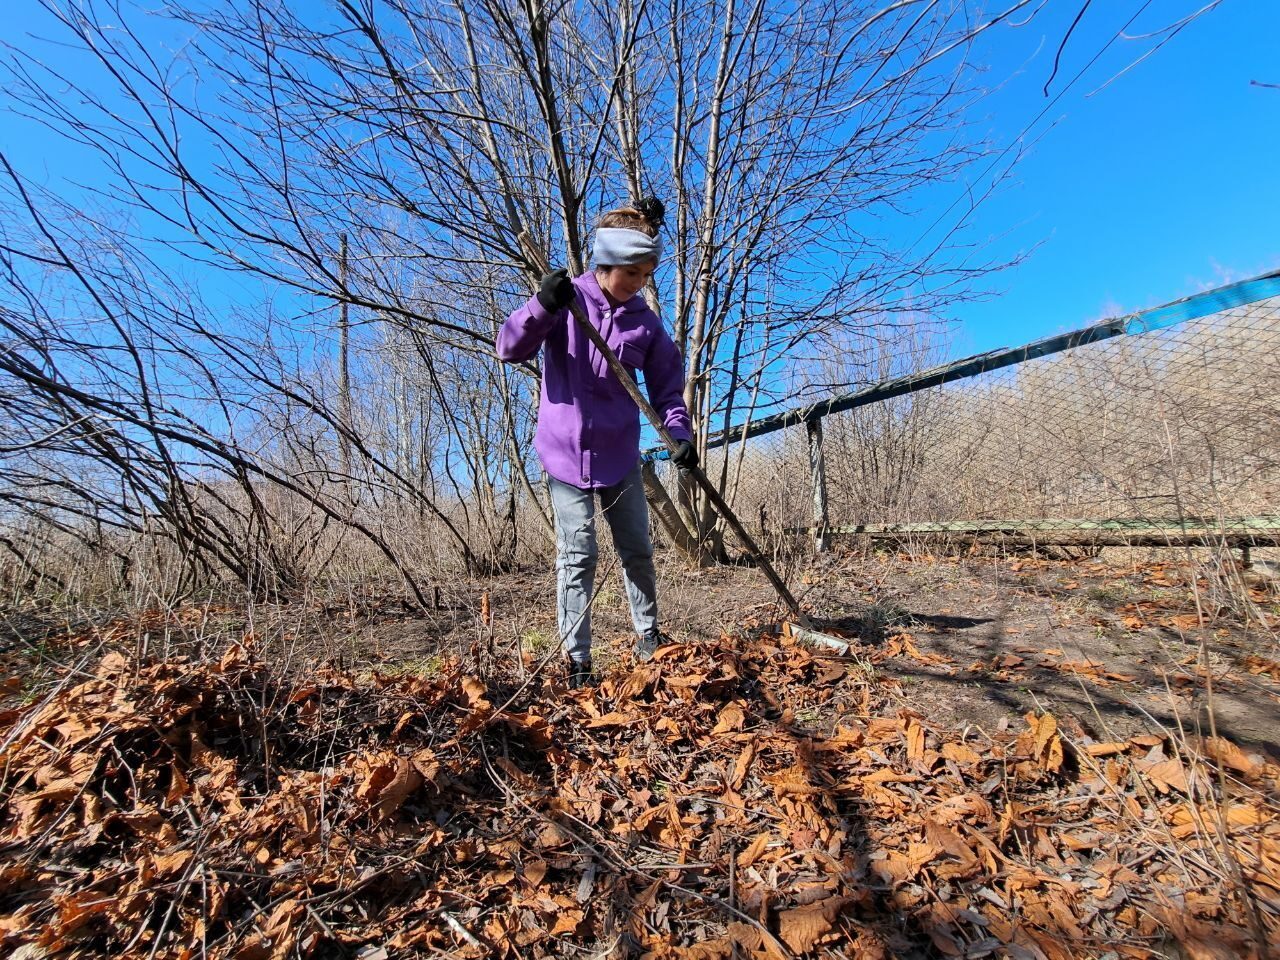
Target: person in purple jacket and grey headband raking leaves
{"points": [[589, 429]]}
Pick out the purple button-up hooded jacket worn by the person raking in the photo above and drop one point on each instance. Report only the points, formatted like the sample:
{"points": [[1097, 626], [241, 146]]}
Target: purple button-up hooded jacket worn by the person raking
{"points": [[588, 427]]}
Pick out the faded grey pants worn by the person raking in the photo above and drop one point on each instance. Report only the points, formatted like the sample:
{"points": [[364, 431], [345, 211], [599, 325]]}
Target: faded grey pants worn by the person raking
{"points": [[628, 515]]}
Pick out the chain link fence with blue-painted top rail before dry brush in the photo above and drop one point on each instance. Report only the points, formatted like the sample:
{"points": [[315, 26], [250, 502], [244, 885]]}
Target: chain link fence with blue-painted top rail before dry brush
{"points": [[1155, 429]]}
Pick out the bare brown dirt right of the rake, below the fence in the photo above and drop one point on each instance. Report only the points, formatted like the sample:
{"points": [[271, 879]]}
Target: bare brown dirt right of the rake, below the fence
{"points": [[1116, 643]]}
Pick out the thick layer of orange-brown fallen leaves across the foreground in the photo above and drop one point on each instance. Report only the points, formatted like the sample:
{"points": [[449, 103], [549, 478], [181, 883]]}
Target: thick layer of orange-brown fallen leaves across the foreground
{"points": [[747, 799]]}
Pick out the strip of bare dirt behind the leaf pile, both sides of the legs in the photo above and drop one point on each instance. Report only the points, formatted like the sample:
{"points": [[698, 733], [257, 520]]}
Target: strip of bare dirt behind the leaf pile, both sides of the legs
{"points": [[1116, 643]]}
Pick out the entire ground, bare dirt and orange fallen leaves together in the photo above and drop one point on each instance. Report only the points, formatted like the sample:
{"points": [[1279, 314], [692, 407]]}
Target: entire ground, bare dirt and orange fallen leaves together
{"points": [[993, 678]]}
